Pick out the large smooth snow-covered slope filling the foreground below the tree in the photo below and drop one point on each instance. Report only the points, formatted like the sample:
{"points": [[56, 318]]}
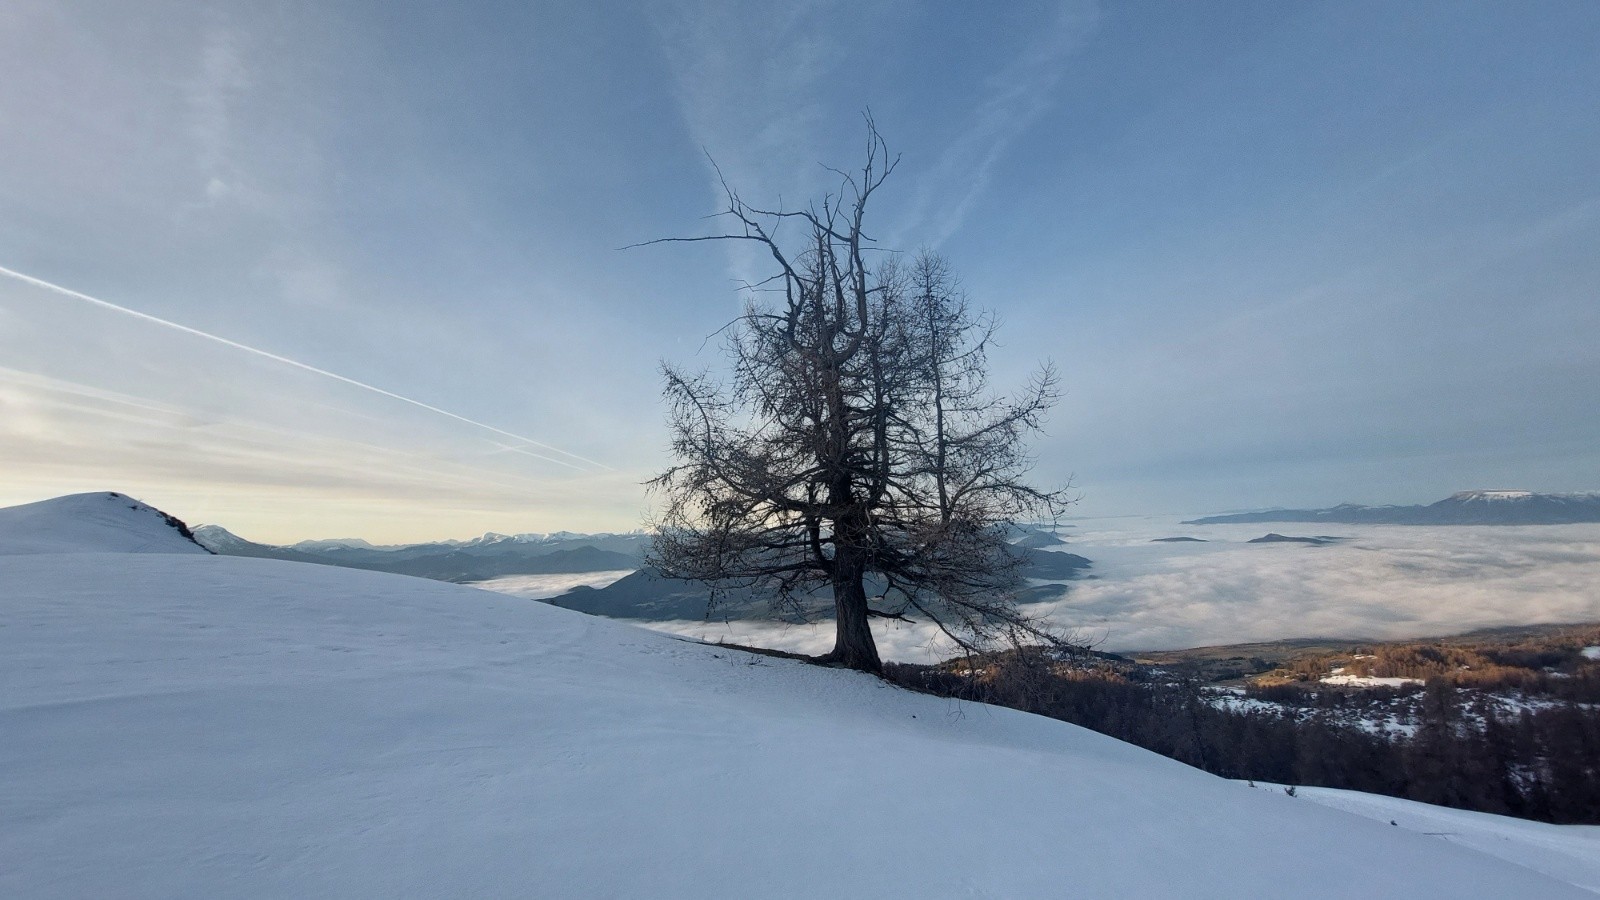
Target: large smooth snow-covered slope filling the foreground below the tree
{"points": [[201, 726]]}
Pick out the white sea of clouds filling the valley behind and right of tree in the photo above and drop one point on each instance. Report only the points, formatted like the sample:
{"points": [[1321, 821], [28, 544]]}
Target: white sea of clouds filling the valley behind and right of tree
{"points": [[1380, 582]]}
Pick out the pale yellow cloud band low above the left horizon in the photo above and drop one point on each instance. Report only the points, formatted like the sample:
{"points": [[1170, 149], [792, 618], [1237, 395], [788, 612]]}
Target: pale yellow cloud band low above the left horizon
{"points": [[65, 438]]}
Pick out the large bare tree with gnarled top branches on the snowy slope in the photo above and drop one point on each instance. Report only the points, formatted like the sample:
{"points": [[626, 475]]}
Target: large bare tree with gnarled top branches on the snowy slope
{"points": [[857, 443]]}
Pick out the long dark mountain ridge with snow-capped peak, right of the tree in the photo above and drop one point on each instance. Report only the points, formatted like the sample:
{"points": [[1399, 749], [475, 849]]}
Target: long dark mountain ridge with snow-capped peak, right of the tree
{"points": [[1466, 508]]}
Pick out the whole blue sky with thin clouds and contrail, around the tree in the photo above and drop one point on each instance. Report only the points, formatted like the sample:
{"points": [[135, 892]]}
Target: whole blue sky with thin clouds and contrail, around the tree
{"points": [[1282, 254]]}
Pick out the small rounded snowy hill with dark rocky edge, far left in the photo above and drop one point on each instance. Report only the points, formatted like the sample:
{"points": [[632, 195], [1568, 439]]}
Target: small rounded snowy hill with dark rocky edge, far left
{"points": [[92, 523]]}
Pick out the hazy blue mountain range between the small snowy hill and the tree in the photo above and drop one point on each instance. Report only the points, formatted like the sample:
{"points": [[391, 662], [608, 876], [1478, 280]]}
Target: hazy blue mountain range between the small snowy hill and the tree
{"points": [[478, 560]]}
